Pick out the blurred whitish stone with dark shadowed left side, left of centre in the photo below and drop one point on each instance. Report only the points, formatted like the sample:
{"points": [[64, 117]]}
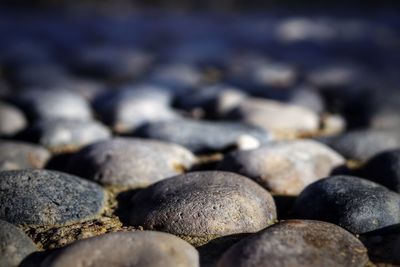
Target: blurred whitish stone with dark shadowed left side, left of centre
{"points": [[130, 107]]}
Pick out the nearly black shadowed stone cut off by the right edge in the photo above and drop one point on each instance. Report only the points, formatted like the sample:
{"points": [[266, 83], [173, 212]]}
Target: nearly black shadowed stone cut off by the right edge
{"points": [[384, 169]]}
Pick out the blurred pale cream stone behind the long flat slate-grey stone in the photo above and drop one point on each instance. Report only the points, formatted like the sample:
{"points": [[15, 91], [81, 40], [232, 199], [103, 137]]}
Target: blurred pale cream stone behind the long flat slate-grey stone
{"points": [[276, 117]]}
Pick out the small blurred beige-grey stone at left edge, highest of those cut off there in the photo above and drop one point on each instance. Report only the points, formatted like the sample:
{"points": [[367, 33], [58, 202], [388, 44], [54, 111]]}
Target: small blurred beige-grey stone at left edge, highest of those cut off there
{"points": [[12, 120]]}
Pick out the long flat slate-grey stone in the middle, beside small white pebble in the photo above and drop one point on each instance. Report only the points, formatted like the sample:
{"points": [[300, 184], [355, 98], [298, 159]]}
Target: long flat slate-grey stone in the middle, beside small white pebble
{"points": [[203, 136]]}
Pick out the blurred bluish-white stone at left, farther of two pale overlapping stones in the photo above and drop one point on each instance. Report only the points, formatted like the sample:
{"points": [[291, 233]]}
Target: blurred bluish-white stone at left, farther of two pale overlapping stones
{"points": [[53, 104]]}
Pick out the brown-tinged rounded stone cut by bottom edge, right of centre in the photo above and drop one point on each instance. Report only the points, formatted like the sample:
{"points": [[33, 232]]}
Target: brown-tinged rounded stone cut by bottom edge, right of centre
{"points": [[298, 243]]}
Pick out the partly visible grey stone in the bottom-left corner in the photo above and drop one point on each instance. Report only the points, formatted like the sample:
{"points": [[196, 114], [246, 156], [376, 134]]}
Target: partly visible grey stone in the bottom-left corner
{"points": [[14, 245]]}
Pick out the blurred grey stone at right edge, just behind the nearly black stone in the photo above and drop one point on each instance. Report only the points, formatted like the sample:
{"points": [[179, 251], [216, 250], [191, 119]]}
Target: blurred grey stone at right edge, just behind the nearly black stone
{"points": [[361, 145]]}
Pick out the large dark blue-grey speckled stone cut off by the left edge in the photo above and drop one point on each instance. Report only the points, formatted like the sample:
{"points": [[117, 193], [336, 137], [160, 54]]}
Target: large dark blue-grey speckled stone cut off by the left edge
{"points": [[48, 198]]}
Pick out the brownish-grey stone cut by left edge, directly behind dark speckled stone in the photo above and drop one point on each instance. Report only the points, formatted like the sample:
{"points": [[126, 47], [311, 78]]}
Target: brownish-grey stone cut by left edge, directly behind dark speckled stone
{"points": [[16, 155]]}
